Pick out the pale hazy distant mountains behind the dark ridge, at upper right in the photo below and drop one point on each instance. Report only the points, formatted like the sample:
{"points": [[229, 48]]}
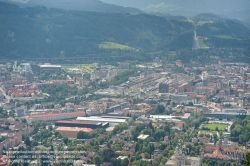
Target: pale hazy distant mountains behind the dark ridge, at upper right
{"points": [[230, 8]]}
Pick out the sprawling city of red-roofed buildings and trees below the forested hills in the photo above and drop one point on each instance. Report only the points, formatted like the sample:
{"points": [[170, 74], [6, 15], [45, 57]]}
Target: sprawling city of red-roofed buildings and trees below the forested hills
{"points": [[153, 113]]}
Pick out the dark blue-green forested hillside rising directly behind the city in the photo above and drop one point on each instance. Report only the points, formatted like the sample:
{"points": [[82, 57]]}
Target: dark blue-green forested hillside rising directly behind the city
{"points": [[41, 32]]}
